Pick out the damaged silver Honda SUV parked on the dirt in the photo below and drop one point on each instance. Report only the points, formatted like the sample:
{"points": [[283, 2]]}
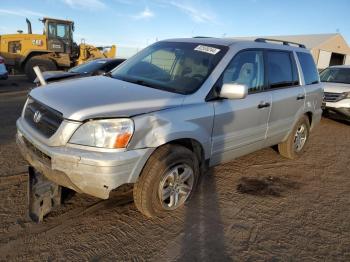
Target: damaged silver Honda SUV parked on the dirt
{"points": [[162, 117]]}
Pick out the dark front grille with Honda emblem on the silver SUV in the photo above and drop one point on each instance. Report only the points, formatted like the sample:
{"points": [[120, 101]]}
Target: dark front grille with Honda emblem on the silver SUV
{"points": [[42, 118]]}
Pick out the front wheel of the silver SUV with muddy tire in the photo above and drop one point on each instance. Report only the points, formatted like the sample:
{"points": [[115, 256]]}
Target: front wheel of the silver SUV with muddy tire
{"points": [[156, 180]]}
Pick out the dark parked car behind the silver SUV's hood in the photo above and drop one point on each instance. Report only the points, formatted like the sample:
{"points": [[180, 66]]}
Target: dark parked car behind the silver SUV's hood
{"points": [[91, 68]]}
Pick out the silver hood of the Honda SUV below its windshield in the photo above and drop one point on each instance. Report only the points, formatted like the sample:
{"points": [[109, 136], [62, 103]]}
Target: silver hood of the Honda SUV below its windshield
{"points": [[100, 96]]}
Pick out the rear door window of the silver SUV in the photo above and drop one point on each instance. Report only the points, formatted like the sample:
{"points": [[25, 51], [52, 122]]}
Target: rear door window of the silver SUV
{"points": [[281, 69]]}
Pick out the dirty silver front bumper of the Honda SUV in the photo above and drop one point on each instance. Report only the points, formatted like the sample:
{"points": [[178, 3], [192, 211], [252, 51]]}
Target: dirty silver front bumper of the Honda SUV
{"points": [[90, 172]]}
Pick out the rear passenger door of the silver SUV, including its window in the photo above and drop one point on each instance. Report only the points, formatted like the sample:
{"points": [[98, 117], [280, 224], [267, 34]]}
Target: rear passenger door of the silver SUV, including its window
{"points": [[288, 96]]}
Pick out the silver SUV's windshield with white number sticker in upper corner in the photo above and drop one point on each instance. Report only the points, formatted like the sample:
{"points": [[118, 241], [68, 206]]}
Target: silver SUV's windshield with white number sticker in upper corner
{"points": [[171, 66]]}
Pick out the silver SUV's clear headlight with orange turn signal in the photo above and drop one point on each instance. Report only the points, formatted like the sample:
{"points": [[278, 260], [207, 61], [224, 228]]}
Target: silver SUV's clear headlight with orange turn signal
{"points": [[107, 133]]}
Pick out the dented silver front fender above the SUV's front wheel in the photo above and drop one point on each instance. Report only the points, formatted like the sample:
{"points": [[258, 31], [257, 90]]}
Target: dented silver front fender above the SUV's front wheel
{"points": [[193, 121]]}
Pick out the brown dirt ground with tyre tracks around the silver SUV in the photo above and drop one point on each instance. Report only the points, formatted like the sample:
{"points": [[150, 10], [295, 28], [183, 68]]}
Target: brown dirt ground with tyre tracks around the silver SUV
{"points": [[260, 207]]}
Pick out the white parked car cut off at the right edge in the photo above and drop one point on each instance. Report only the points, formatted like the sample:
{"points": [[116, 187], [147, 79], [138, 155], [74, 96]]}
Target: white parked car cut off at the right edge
{"points": [[336, 81]]}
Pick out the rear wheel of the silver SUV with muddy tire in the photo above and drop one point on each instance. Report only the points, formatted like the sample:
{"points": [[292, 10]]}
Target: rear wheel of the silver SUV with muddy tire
{"points": [[289, 148]]}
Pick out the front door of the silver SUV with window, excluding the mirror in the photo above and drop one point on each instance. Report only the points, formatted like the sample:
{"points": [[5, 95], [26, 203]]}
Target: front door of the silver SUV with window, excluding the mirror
{"points": [[240, 125]]}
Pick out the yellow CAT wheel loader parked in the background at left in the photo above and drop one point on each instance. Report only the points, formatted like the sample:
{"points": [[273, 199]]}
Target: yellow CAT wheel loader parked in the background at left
{"points": [[52, 50]]}
